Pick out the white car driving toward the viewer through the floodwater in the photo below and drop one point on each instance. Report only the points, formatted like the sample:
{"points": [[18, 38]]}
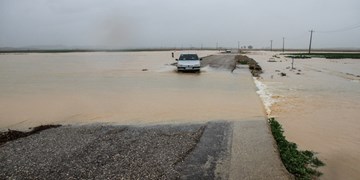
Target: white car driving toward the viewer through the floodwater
{"points": [[188, 62]]}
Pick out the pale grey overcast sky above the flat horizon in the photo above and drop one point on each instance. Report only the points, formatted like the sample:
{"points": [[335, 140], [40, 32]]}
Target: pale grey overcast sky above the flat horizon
{"points": [[180, 23]]}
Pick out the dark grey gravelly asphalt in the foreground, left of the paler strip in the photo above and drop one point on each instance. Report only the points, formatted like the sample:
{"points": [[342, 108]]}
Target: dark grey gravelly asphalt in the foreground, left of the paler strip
{"points": [[120, 152]]}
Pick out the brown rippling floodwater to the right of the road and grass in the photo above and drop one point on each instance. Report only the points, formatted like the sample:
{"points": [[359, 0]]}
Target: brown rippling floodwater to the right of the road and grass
{"points": [[319, 109]]}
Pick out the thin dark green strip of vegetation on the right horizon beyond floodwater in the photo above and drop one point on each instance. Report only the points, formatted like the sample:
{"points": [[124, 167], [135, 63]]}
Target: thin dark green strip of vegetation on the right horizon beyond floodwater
{"points": [[323, 55]]}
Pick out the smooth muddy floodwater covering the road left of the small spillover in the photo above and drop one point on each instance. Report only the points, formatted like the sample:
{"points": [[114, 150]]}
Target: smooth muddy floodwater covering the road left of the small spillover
{"points": [[119, 87]]}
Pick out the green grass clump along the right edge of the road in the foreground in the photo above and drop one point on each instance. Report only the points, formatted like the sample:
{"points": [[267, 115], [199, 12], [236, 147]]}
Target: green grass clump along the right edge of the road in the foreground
{"points": [[302, 164]]}
